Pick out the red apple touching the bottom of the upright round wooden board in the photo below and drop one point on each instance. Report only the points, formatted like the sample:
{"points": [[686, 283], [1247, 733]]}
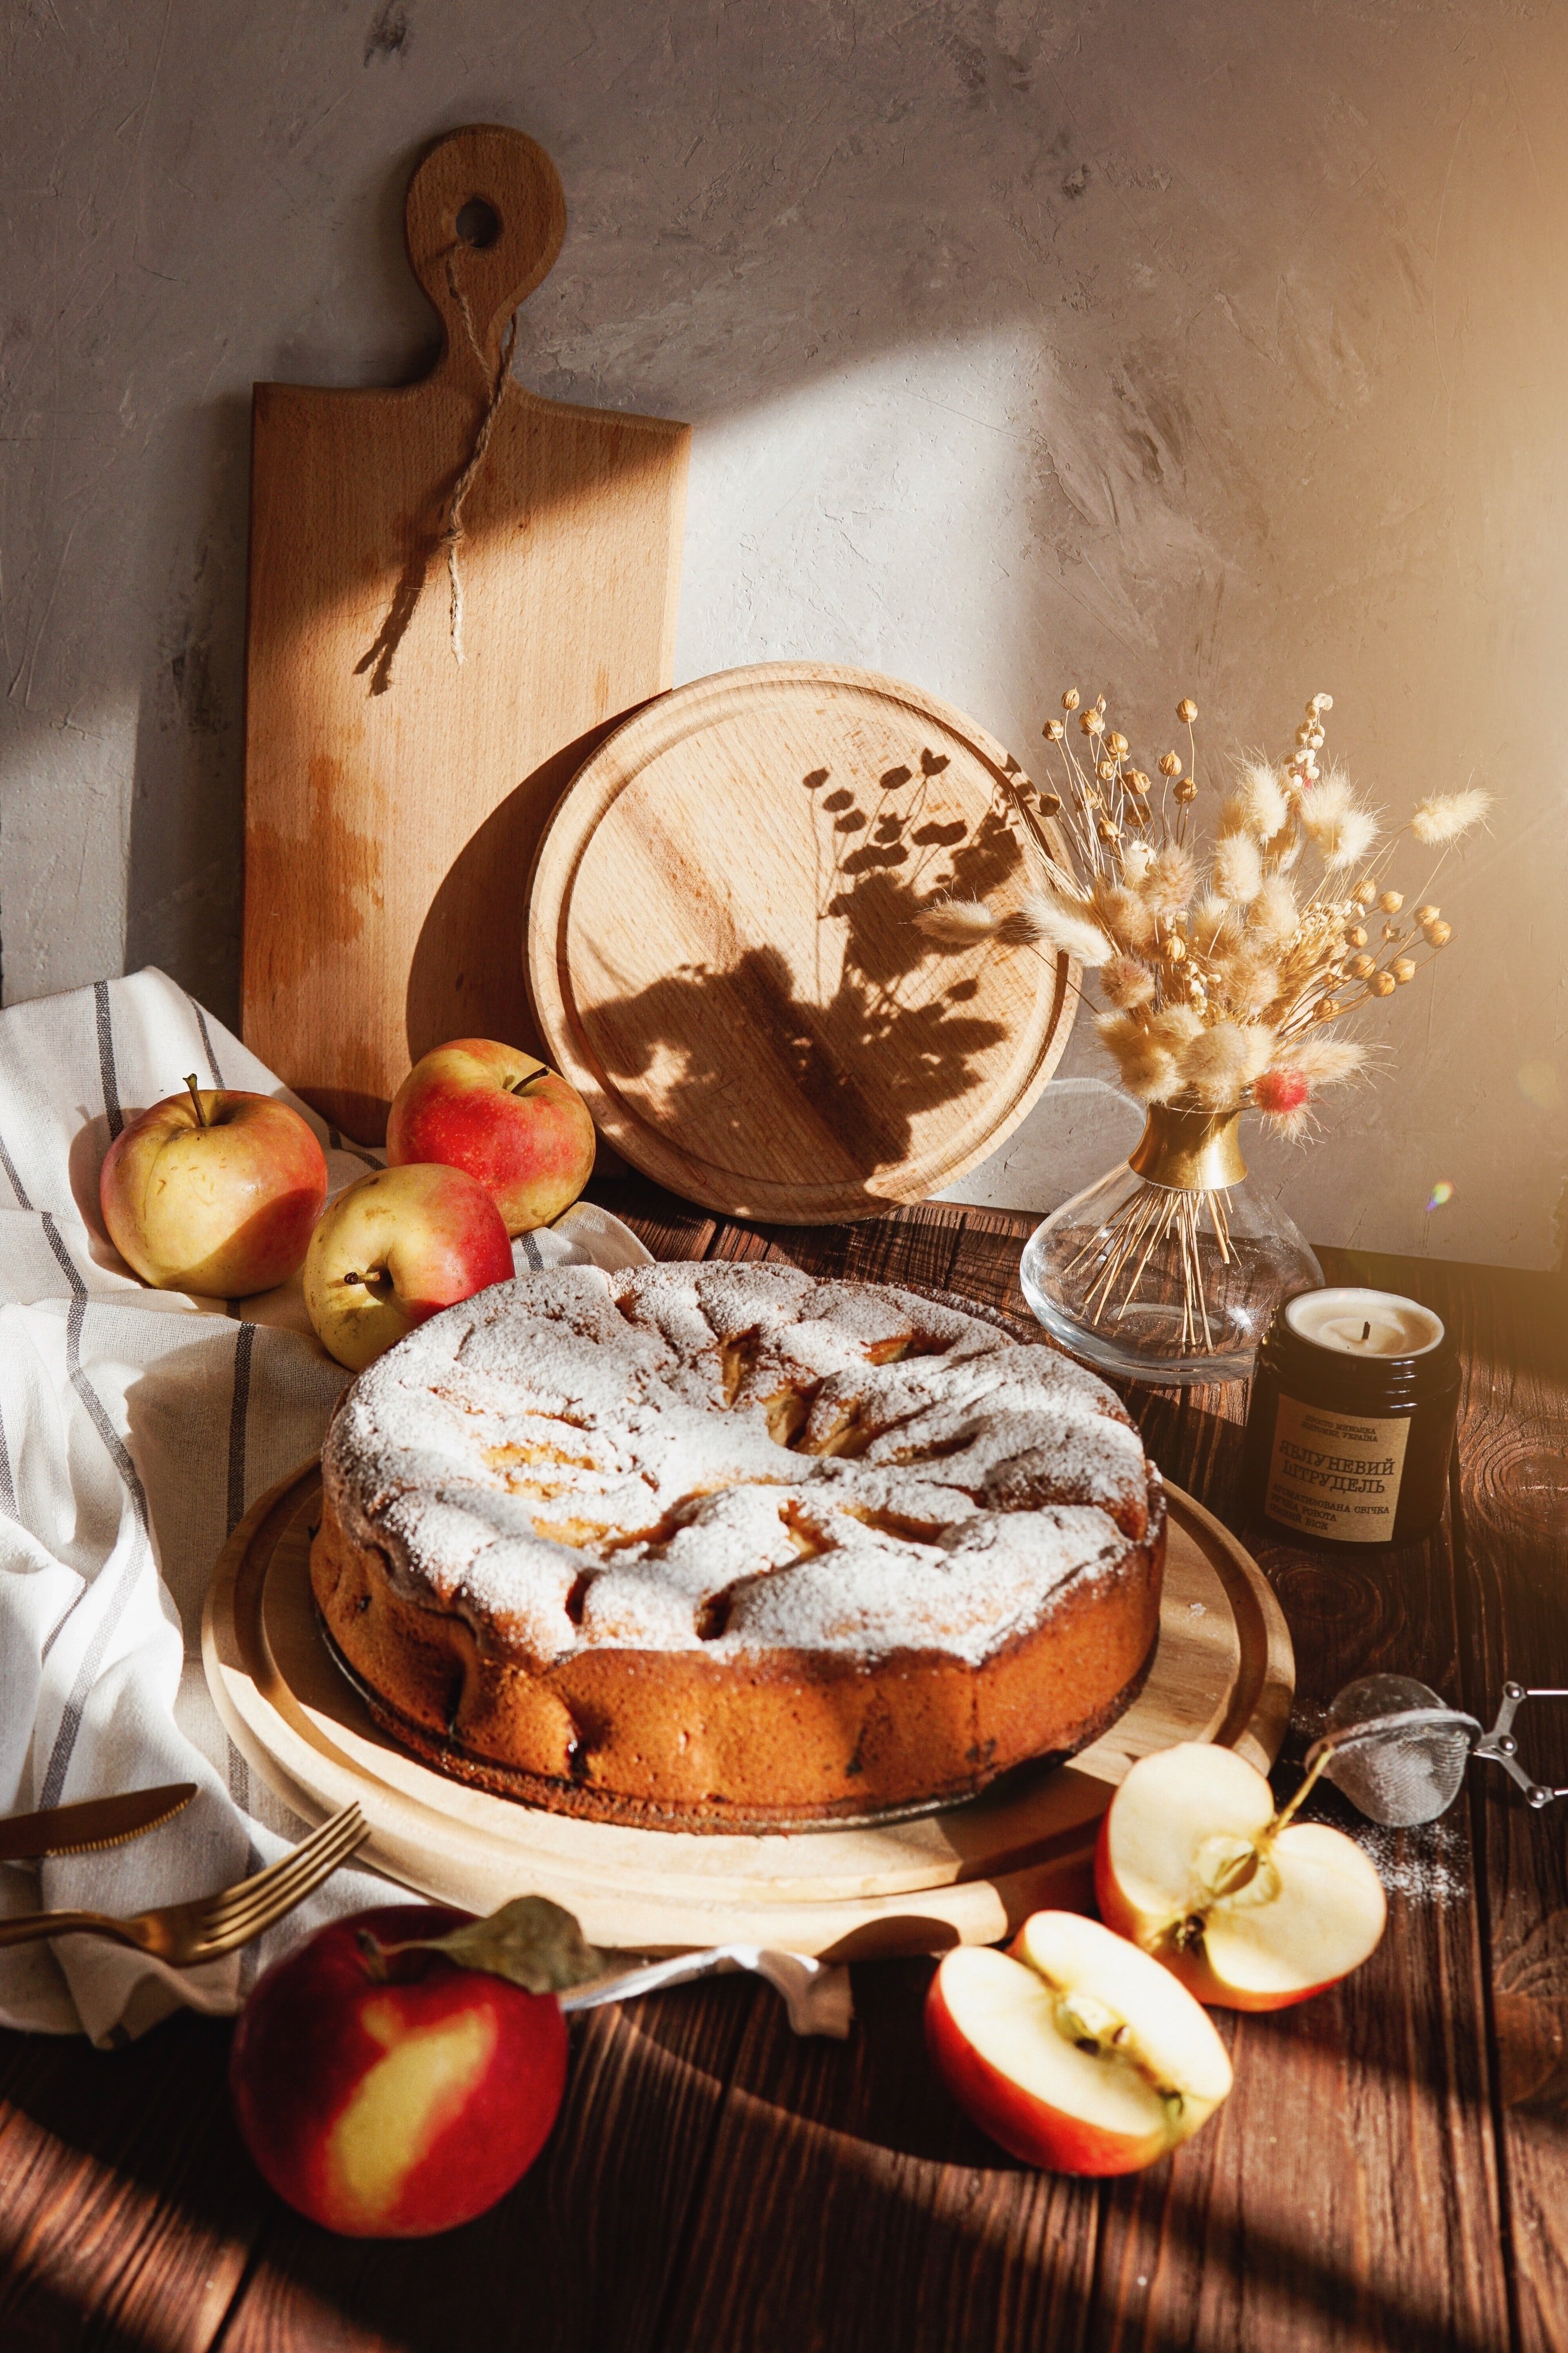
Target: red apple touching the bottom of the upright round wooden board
{"points": [[502, 1116]]}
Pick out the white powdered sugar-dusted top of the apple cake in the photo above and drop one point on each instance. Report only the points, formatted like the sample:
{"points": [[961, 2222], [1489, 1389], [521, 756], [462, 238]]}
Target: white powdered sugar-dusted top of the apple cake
{"points": [[735, 1458]]}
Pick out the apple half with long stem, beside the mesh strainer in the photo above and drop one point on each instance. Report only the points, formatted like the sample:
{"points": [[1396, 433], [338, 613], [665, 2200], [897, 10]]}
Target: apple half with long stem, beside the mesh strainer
{"points": [[1247, 1907]]}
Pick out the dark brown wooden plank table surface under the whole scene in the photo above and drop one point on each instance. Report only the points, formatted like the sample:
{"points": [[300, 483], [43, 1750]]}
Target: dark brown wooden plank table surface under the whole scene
{"points": [[1391, 2168]]}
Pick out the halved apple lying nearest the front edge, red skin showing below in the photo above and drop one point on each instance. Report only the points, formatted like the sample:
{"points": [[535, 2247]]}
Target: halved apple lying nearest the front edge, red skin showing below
{"points": [[1073, 2051]]}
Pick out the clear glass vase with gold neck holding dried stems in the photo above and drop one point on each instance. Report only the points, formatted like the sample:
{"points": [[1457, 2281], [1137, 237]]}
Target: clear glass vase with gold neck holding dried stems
{"points": [[1170, 1267]]}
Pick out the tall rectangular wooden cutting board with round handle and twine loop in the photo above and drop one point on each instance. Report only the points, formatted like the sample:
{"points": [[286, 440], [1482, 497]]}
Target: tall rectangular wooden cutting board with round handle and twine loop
{"points": [[394, 794]]}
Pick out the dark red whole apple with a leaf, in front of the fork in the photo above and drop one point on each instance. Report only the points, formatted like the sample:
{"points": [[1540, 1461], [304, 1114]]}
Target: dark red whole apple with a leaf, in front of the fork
{"points": [[394, 2095]]}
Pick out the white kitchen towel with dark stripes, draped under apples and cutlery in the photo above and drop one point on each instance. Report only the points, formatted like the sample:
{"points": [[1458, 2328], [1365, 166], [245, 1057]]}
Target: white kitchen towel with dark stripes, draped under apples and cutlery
{"points": [[135, 1429]]}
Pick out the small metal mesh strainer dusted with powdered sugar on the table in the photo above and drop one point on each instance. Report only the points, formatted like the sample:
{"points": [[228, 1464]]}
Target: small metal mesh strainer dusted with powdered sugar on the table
{"points": [[1400, 1754]]}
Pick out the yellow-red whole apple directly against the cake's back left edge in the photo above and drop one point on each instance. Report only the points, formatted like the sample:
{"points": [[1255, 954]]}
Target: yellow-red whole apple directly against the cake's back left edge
{"points": [[396, 1248]]}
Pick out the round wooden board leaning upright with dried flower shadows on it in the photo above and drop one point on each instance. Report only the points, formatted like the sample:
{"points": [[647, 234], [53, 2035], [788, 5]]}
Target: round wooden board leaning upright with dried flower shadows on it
{"points": [[725, 959]]}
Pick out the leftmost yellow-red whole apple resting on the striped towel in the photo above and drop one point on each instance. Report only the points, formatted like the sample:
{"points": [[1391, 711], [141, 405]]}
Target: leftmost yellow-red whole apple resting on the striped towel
{"points": [[213, 1192]]}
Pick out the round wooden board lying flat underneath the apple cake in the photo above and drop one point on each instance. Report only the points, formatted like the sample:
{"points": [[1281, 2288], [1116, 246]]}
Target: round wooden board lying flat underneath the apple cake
{"points": [[1224, 1672]]}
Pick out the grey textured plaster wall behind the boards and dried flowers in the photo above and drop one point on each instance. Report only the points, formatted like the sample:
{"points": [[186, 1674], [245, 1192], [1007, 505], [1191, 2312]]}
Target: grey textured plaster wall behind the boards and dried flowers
{"points": [[1207, 347]]}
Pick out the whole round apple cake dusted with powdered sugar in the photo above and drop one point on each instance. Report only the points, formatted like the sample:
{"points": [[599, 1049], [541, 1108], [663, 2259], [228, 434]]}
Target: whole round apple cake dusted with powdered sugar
{"points": [[725, 1547]]}
